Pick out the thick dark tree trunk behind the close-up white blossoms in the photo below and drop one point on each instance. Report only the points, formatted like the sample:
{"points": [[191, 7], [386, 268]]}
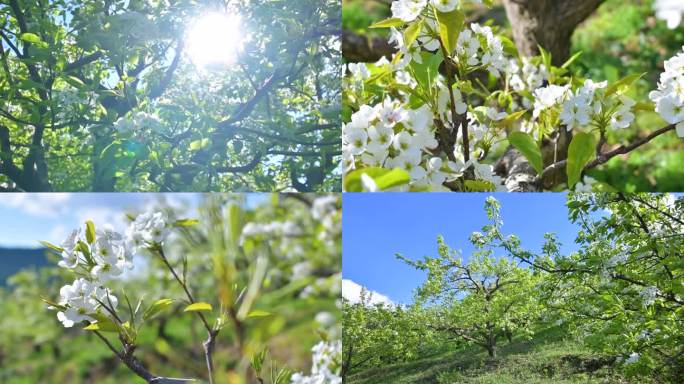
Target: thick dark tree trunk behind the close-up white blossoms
{"points": [[549, 24]]}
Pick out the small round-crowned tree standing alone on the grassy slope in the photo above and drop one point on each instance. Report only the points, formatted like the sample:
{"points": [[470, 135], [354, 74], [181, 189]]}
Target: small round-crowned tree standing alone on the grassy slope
{"points": [[479, 300]]}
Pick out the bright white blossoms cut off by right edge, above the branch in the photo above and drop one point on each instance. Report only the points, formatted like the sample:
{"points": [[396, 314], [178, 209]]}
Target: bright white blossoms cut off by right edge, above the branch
{"points": [[669, 97]]}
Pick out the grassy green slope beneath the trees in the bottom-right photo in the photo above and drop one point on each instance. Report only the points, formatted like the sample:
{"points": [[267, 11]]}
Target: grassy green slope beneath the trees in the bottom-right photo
{"points": [[547, 358]]}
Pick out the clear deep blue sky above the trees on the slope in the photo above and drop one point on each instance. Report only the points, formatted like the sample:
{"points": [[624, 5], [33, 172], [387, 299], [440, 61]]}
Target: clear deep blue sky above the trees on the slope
{"points": [[377, 226]]}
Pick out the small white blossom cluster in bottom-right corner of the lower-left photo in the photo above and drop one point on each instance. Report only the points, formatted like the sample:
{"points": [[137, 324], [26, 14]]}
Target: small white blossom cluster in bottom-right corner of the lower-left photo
{"points": [[326, 367]]}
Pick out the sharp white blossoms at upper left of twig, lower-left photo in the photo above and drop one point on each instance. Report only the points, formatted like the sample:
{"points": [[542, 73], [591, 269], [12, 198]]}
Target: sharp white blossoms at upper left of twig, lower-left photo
{"points": [[98, 258]]}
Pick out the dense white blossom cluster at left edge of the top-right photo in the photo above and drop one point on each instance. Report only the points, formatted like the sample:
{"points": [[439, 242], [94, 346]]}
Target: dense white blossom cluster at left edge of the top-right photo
{"points": [[388, 135]]}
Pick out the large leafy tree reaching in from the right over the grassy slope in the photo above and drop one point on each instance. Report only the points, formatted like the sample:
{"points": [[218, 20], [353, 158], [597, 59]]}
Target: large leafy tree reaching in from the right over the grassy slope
{"points": [[622, 290]]}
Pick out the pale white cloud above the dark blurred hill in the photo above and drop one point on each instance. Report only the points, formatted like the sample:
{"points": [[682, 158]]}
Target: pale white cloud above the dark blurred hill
{"points": [[37, 204]]}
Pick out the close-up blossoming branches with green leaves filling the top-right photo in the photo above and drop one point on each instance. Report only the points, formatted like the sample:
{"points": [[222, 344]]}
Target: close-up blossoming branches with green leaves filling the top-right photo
{"points": [[440, 114]]}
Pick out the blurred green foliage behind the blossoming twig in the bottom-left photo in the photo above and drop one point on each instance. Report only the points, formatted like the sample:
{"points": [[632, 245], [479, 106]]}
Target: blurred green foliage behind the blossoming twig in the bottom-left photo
{"points": [[297, 300]]}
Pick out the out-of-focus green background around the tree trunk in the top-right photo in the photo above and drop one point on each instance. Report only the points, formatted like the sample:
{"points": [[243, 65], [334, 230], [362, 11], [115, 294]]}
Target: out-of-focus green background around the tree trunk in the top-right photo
{"points": [[620, 38]]}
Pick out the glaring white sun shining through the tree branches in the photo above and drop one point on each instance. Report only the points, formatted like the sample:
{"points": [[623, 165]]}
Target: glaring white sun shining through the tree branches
{"points": [[214, 39]]}
